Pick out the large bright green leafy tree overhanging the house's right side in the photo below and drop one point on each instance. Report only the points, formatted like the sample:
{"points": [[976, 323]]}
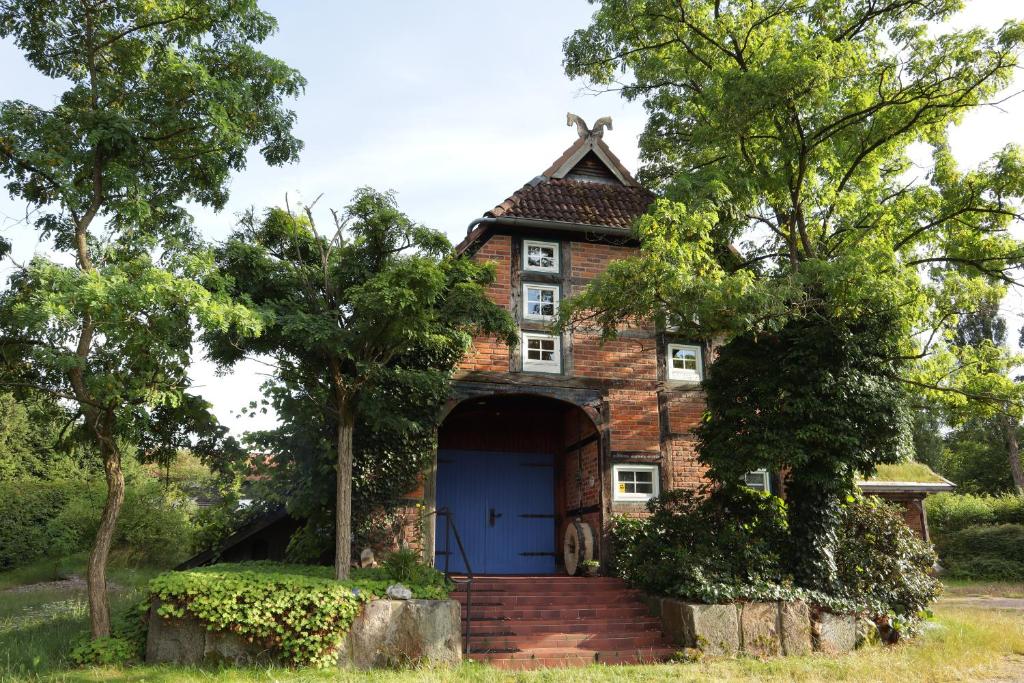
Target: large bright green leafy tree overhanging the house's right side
{"points": [[788, 126]]}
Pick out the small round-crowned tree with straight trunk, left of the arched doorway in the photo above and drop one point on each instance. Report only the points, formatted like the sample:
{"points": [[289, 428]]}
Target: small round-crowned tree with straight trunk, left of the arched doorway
{"points": [[375, 308]]}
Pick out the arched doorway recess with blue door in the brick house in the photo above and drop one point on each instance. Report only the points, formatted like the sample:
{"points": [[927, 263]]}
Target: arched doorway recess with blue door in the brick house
{"points": [[514, 469]]}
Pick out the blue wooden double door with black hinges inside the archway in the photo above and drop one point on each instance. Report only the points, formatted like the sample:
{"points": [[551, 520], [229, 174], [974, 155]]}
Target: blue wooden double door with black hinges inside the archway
{"points": [[503, 505]]}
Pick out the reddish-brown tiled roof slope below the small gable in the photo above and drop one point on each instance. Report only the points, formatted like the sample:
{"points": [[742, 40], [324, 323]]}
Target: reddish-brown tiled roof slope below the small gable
{"points": [[572, 201]]}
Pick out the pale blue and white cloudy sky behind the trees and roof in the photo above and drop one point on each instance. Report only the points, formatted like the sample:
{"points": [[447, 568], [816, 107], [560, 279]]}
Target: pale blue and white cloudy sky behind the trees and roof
{"points": [[454, 106]]}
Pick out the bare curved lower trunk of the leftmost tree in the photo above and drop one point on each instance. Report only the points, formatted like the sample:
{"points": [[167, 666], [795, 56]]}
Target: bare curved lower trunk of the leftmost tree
{"points": [[100, 610]]}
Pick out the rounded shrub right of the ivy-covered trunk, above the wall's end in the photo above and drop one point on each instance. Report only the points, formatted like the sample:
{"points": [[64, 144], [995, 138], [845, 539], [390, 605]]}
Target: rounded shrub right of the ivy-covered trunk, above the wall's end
{"points": [[881, 562]]}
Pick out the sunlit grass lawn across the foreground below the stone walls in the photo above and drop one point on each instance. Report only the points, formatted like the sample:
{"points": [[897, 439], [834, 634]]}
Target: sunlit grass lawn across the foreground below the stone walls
{"points": [[38, 628]]}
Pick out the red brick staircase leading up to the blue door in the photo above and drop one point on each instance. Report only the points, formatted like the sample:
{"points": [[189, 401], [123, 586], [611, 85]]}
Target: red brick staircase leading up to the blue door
{"points": [[535, 622]]}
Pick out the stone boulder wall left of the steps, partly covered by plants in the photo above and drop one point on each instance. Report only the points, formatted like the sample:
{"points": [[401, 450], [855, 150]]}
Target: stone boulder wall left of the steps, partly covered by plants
{"points": [[387, 633]]}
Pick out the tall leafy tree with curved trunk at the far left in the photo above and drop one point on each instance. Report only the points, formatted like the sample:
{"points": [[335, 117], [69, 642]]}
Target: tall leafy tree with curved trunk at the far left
{"points": [[163, 102]]}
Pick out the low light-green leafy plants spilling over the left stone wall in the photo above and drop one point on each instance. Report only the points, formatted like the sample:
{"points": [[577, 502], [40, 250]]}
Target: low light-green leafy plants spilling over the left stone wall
{"points": [[300, 612]]}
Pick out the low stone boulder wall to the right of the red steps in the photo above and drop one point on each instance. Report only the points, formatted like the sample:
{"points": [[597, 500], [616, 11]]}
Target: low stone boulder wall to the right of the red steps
{"points": [[762, 629]]}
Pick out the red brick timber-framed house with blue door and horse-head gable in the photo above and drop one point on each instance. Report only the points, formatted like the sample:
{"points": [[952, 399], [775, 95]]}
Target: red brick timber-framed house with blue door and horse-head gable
{"points": [[545, 443]]}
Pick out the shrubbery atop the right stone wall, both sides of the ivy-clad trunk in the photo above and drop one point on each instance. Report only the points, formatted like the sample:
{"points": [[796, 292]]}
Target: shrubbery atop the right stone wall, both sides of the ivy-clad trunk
{"points": [[727, 547]]}
